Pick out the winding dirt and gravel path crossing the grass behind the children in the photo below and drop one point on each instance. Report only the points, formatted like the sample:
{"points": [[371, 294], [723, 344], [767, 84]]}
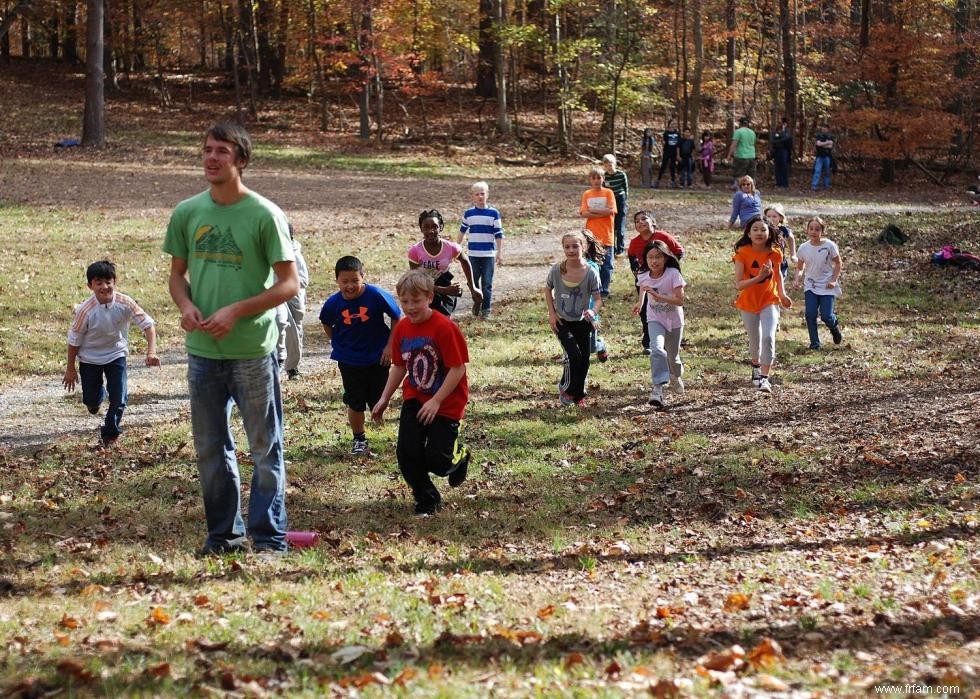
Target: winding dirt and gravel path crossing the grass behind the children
{"points": [[315, 202]]}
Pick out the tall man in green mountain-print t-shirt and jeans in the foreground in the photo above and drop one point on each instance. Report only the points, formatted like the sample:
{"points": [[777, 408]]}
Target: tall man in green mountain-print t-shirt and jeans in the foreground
{"points": [[231, 264]]}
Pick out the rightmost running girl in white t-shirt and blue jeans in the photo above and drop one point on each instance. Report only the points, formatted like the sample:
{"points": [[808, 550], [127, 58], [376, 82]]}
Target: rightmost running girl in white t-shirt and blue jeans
{"points": [[819, 269]]}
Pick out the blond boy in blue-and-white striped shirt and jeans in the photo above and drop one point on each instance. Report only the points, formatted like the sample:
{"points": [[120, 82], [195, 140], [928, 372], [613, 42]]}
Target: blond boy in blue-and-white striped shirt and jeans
{"points": [[485, 245]]}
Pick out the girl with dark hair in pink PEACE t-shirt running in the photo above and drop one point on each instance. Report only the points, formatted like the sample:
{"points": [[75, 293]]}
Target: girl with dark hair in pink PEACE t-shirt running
{"points": [[434, 255]]}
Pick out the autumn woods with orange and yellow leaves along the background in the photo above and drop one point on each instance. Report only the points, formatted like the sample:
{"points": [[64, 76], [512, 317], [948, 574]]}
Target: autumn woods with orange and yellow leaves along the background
{"points": [[898, 76]]}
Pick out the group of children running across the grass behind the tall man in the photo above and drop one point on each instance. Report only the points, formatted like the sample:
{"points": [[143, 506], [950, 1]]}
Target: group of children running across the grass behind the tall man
{"points": [[380, 343]]}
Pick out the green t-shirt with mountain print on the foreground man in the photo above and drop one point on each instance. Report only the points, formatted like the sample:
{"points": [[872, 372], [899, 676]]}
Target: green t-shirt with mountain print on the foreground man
{"points": [[230, 251]]}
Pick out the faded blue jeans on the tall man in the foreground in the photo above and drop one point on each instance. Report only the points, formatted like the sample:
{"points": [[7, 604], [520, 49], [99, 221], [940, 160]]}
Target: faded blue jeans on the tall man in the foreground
{"points": [[253, 385]]}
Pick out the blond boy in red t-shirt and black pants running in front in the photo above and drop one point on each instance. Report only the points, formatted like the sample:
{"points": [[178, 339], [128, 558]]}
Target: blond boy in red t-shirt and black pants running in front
{"points": [[430, 354]]}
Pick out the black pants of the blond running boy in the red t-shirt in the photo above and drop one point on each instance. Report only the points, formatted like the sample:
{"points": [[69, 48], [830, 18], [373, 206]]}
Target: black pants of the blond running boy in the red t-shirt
{"points": [[424, 449]]}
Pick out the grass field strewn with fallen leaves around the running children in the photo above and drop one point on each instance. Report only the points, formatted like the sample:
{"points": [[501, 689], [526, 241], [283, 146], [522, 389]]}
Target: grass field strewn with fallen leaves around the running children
{"points": [[822, 541]]}
